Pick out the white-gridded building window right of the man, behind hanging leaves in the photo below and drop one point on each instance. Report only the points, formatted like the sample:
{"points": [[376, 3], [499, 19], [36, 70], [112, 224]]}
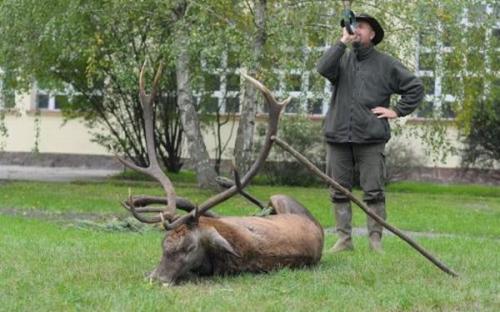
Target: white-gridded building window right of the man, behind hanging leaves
{"points": [[477, 55]]}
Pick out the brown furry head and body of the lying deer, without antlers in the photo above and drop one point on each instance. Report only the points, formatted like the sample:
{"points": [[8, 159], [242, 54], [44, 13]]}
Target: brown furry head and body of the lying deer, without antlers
{"points": [[229, 245]]}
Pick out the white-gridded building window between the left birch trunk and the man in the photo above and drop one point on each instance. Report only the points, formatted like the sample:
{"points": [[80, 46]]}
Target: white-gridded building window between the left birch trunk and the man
{"points": [[222, 84]]}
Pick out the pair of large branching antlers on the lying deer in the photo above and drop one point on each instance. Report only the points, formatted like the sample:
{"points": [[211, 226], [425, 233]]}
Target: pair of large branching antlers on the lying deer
{"points": [[168, 215]]}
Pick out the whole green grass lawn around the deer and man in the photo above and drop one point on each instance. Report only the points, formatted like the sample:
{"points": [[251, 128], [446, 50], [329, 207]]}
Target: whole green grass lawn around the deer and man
{"points": [[50, 262]]}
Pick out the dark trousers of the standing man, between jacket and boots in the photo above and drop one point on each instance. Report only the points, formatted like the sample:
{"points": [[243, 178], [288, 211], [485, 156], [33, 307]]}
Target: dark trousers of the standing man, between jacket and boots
{"points": [[370, 158]]}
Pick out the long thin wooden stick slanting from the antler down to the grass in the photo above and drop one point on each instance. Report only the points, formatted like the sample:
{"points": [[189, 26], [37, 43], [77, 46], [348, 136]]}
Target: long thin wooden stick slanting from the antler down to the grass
{"points": [[362, 205]]}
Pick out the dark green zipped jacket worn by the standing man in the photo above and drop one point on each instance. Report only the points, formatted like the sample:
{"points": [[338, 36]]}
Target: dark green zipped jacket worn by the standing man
{"points": [[364, 78]]}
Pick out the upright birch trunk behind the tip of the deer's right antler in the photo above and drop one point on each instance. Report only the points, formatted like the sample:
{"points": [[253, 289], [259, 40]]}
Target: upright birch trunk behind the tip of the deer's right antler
{"points": [[243, 146]]}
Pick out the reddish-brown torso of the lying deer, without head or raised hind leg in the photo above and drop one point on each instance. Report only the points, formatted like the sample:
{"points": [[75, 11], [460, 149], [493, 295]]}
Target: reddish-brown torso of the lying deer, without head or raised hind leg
{"points": [[264, 244]]}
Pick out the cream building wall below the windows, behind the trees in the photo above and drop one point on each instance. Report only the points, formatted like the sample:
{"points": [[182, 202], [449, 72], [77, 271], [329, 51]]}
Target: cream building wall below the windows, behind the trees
{"points": [[72, 137]]}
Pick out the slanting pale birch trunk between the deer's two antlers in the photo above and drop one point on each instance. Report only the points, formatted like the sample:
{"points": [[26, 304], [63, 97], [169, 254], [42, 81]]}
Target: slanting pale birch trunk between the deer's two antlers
{"points": [[190, 123]]}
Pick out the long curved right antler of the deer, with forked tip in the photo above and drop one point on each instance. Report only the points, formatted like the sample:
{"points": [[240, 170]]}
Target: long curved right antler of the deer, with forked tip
{"points": [[275, 109]]}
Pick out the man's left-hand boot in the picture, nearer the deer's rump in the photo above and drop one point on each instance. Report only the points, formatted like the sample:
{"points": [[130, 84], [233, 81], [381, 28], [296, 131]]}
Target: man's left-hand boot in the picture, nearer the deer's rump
{"points": [[343, 216]]}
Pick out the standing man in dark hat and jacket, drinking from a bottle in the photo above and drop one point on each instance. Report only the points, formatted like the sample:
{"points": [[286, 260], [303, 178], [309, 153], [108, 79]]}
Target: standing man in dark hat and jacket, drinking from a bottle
{"points": [[356, 125]]}
